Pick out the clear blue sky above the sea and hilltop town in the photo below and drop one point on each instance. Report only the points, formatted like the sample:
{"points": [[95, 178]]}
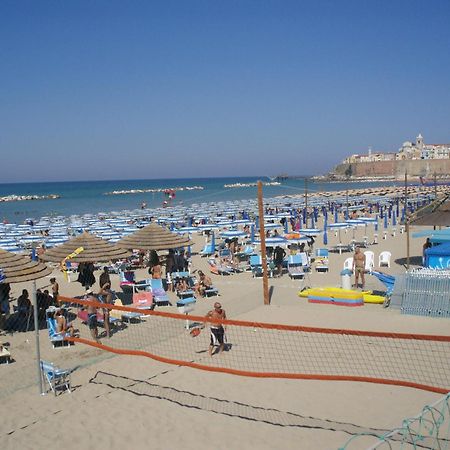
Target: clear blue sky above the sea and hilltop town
{"points": [[146, 89]]}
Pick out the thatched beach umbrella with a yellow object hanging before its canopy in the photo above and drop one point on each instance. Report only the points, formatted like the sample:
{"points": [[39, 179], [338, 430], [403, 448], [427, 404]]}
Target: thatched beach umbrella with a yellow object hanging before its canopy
{"points": [[94, 249]]}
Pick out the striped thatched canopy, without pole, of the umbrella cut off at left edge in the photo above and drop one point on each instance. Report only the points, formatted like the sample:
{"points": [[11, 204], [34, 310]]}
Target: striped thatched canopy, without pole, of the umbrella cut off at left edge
{"points": [[19, 269]]}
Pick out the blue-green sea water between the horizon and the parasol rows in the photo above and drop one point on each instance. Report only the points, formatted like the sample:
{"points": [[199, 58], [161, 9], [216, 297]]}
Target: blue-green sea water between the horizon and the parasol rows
{"points": [[89, 196]]}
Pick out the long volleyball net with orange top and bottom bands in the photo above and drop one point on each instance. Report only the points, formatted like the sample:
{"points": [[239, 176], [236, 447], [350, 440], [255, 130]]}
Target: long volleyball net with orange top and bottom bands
{"points": [[269, 350]]}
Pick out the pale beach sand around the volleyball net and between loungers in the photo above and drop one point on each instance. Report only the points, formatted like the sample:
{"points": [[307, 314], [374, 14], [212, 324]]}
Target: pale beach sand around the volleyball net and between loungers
{"points": [[135, 402]]}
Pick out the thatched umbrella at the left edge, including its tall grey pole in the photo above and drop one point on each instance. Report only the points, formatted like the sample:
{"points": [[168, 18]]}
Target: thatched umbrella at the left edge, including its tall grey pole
{"points": [[18, 269]]}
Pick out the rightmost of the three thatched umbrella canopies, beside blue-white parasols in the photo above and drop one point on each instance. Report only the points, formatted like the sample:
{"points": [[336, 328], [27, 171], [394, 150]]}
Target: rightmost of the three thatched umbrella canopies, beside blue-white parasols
{"points": [[153, 237]]}
